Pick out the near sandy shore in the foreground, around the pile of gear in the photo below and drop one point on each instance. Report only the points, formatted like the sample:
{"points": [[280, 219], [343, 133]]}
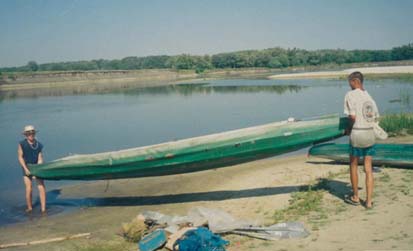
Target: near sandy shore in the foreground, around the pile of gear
{"points": [[263, 191]]}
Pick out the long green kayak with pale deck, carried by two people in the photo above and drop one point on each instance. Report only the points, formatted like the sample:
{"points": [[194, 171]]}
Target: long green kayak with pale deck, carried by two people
{"points": [[195, 154]]}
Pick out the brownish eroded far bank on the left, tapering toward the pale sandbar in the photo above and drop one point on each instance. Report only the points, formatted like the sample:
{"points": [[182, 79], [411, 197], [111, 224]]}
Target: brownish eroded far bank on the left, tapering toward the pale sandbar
{"points": [[120, 79]]}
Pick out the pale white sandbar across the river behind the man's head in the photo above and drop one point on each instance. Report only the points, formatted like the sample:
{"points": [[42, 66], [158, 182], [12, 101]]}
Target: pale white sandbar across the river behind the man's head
{"points": [[344, 73]]}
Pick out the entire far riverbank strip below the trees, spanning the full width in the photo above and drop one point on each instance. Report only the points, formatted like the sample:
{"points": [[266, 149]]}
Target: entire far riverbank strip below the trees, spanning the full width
{"points": [[17, 83]]}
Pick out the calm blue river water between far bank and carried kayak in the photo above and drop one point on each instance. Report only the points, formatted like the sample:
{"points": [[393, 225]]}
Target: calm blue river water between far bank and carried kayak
{"points": [[90, 123]]}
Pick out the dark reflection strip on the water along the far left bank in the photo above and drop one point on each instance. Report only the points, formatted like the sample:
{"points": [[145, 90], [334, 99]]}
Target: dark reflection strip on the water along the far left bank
{"points": [[181, 89]]}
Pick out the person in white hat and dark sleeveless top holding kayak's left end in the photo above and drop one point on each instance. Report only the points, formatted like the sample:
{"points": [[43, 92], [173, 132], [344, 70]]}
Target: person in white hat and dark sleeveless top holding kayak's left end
{"points": [[29, 151]]}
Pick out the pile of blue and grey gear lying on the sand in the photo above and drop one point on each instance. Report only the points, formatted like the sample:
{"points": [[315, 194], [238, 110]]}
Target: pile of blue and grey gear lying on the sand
{"points": [[199, 230]]}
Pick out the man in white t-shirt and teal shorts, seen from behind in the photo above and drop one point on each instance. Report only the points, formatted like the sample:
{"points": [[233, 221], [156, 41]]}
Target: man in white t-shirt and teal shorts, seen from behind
{"points": [[363, 113]]}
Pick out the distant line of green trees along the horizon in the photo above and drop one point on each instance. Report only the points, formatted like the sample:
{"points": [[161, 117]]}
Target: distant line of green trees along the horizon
{"points": [[271, 58]]}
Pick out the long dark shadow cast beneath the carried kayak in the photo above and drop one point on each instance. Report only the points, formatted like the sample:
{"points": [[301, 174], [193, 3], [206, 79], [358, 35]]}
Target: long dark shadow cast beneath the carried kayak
{"points": [[57, 205]]}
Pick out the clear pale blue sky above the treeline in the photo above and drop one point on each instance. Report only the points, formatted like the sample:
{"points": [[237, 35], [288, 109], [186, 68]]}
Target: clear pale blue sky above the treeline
{"points": [[71, 30]]}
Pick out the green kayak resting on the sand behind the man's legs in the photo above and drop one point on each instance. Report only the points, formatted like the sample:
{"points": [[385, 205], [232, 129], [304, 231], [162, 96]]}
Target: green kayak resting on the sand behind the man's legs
{"points": [[397, 155]]}
